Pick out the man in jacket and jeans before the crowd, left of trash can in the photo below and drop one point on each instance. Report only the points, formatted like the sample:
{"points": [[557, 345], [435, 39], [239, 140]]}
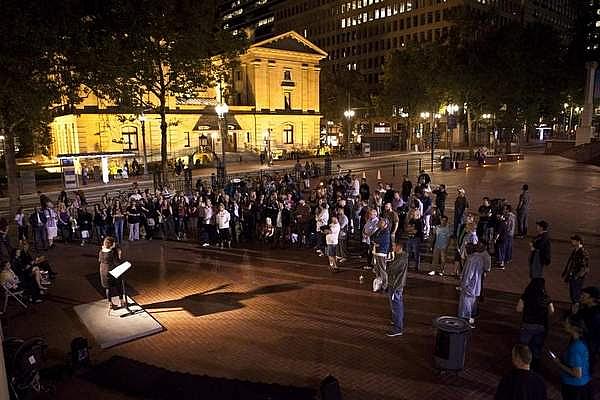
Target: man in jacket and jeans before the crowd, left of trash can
{"points": [[397, 272]]}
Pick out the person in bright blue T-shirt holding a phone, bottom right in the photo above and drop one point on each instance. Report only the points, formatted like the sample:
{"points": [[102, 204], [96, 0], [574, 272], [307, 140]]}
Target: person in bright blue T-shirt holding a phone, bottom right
{"points": [[574, 365]]}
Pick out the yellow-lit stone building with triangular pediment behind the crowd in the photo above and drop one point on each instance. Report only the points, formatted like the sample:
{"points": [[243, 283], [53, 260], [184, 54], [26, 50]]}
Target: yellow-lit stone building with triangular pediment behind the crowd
{"points": [[273, 106]]}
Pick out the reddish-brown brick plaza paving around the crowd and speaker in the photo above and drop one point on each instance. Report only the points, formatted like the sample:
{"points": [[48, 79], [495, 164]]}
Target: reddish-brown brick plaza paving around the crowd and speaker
{"points": [[279, 316]]}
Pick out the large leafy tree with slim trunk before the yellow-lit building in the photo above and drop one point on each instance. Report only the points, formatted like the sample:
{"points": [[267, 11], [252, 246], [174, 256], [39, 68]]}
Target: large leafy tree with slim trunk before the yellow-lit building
{"points": [[157, 47]]}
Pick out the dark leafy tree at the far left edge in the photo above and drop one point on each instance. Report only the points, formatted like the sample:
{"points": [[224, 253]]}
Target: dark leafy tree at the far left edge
{"points": [[32, 70]]}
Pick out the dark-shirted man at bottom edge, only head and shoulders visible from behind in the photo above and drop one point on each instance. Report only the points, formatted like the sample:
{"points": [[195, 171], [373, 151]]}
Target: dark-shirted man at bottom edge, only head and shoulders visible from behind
{"points": [[521, 383]]}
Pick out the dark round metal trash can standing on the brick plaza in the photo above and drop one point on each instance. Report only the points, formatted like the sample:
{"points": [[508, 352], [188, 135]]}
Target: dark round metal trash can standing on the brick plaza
{"points": [[451, 340]]}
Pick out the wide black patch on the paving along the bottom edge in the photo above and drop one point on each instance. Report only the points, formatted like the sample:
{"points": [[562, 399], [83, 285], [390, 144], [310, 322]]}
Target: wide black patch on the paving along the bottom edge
{"points": [[146, 381]]}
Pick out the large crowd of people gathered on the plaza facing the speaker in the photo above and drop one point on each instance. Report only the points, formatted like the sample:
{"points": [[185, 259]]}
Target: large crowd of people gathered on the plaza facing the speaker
{"points": [[381, 228]]}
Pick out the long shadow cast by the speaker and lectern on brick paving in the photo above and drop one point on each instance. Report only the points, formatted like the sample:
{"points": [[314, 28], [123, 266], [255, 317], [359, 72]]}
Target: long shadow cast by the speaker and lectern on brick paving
{"points": [[209, 302]]}
